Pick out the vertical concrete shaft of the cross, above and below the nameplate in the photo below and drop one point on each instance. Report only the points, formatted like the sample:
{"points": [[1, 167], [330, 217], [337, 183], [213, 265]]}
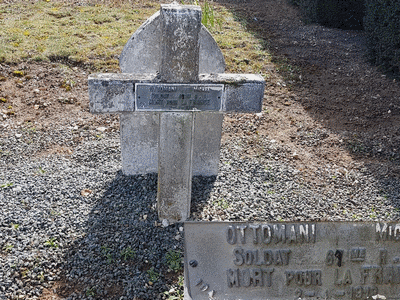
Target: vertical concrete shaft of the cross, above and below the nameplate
{"points": [[180, 64]]}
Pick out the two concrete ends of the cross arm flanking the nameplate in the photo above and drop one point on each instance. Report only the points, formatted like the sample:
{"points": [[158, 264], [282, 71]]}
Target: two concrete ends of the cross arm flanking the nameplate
{"points": [[242, 92]]}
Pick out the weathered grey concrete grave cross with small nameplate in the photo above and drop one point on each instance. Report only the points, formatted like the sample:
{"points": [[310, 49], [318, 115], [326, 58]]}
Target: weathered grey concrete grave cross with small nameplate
{"points": [[181, 96]]}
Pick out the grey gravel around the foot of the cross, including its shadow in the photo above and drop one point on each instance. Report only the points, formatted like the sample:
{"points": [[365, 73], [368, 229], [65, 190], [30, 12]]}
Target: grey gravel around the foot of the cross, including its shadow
{"points": [[75, 227]]}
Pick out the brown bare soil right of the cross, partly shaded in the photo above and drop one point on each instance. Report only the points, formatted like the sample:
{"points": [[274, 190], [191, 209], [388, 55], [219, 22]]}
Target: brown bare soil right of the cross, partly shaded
{"points": [[325, 104]]}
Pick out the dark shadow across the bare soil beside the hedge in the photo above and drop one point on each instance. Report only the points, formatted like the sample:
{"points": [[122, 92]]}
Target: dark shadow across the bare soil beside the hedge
{"points": [[338, 87]]}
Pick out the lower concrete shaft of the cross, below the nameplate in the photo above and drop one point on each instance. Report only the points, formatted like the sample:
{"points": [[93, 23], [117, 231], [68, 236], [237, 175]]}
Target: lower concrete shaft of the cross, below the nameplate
{"points": [[175, 166]]}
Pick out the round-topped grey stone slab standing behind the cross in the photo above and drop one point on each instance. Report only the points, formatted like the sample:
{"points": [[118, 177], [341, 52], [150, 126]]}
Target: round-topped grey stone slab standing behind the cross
{"points": [[141, 55]]}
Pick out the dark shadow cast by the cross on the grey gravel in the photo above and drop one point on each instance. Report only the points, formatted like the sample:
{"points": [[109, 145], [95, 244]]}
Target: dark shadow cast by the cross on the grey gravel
{"points": [[123, 249]]}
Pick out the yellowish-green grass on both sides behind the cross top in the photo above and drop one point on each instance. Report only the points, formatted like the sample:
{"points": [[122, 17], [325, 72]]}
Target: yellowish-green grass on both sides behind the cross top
{"points": [[94, 35]]}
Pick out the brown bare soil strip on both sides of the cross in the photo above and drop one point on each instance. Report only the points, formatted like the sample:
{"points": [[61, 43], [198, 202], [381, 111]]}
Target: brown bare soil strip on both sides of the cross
{"points": [[323, 101]]}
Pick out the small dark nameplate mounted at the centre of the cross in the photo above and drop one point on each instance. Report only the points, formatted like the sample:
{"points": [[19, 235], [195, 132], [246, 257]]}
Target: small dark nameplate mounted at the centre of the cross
{"points": [[178, 97]]}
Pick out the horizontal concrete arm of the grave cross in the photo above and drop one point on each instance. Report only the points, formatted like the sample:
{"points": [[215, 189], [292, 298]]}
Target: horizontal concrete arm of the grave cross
{"points": [[116, 93]]}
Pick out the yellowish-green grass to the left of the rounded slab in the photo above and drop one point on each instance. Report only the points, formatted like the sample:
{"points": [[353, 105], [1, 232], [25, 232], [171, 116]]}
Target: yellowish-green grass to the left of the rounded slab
{"points": [[55, 31]]}
